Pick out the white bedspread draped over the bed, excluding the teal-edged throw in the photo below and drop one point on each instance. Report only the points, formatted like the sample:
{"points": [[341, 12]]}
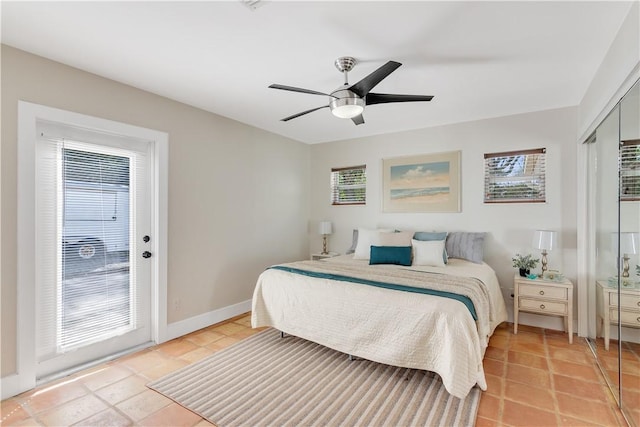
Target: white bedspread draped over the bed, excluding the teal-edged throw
{"points": [[387, 326]]}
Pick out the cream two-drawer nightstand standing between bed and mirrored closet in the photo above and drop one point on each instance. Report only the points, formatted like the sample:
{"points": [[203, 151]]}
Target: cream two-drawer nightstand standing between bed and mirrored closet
{"points": [[543, 297]]}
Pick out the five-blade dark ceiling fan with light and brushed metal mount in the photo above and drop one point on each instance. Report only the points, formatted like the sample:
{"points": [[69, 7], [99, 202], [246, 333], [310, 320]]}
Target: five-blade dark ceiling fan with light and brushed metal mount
{"points": [[348, 101]]}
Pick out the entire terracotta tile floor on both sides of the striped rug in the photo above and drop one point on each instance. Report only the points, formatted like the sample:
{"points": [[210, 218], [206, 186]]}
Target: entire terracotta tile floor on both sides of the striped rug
{"points": [[534, 378]]}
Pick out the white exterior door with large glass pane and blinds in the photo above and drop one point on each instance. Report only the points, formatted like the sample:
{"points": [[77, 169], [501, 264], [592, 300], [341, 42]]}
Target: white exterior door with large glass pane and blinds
{"points": [[93, 286]]}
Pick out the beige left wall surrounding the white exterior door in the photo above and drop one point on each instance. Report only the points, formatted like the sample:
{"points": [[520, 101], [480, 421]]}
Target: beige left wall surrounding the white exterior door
{"points": [[238, 196]]}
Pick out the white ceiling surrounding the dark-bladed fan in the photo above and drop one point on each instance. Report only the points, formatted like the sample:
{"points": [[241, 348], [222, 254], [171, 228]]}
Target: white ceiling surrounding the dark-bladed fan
{"points": [[478, 59]]}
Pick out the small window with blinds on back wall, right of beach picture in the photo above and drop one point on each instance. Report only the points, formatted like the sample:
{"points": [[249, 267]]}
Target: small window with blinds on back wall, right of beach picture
{"points": [[515, 176]]}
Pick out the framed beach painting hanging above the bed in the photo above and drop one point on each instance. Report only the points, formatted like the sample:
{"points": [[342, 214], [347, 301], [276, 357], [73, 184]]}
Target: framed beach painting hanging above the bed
{"points": [[422, 183]]}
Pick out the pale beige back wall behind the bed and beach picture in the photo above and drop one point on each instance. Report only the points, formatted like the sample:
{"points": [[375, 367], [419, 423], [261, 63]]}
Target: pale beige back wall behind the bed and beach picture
{"points": [[510, 226]]}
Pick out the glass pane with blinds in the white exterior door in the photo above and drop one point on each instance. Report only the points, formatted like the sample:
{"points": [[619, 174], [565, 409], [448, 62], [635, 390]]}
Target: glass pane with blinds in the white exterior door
{"points": [[95, 288]]}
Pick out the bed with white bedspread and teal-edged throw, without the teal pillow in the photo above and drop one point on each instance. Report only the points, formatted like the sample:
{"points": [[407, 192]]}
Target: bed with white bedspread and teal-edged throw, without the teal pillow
{"points": [[433, 317]]}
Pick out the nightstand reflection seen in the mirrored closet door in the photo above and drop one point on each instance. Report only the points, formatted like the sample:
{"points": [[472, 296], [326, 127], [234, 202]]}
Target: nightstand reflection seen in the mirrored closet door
{"points": [[607, 309]]}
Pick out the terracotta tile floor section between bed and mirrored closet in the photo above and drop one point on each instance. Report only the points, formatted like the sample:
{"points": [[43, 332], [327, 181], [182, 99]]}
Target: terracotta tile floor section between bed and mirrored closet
{"points": [[536, 378]]}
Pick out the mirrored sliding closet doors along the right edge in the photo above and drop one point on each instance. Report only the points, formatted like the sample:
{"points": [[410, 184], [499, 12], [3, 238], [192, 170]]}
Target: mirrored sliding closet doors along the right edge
{"points": [[614, 282]]}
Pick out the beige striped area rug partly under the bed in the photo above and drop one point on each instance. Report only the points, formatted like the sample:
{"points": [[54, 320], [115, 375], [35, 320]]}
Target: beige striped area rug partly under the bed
{"points": [[266, 380]]}
